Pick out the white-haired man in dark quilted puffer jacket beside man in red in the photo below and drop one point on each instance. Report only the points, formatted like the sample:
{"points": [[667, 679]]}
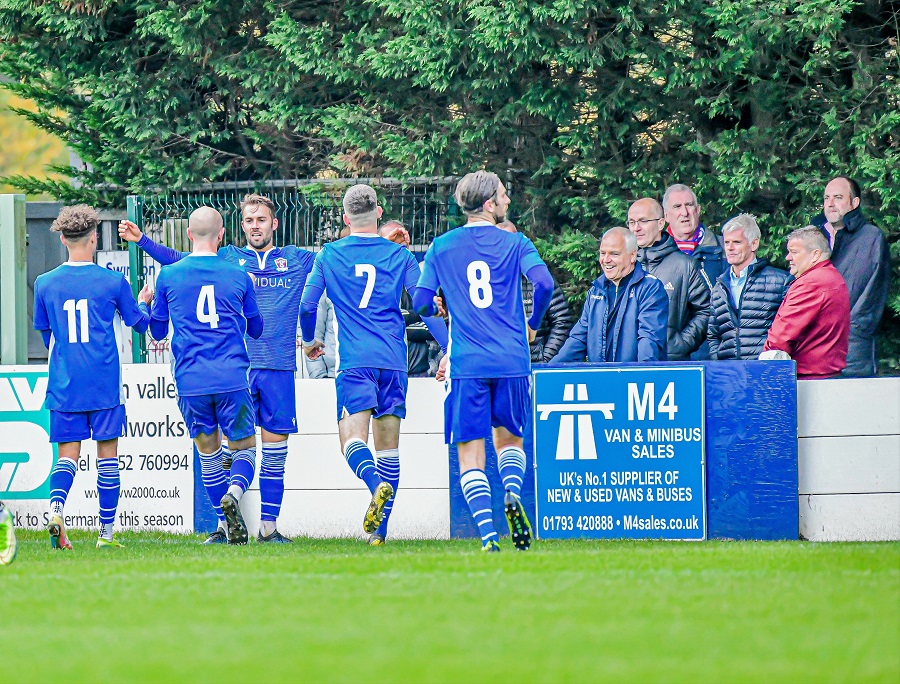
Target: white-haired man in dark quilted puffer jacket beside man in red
{"points": [[746, 297]]}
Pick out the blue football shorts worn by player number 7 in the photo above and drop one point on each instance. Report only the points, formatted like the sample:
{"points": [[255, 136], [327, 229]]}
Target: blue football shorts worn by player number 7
{"points": [[363, 389]]}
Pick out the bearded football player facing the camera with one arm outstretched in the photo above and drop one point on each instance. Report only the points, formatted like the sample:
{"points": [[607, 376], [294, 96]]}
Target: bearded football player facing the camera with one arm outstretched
{"points": [[280, 274]]}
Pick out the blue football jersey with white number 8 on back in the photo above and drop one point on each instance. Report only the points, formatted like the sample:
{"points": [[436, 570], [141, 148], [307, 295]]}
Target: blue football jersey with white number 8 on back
{"points": [[479, 268]]}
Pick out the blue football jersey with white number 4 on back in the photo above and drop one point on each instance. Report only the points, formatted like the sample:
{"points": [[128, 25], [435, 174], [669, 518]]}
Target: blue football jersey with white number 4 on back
{"points": [[208, 301]]}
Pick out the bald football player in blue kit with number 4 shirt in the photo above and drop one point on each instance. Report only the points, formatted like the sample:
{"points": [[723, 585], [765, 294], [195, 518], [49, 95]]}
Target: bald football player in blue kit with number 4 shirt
{"points": [[212, 304]]}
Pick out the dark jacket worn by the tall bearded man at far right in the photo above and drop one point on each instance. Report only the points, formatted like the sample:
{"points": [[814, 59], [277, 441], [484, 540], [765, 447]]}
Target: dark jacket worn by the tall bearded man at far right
{"points": [[860, 254]]}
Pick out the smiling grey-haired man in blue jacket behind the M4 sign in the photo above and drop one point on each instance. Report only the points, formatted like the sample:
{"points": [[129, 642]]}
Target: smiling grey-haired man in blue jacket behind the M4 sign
{"points": [[625, 316]]}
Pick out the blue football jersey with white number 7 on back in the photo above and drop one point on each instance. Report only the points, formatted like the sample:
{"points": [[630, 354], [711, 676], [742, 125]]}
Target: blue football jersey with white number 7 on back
{"points": [[365, 276]]}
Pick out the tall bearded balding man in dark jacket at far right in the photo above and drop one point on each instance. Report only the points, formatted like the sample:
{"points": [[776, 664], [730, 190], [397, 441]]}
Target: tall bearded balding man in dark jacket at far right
{"points": [[859, 252]]}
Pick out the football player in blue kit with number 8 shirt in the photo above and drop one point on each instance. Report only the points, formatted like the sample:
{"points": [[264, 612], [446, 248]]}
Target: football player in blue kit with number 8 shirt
{"points": [[479, 269]]}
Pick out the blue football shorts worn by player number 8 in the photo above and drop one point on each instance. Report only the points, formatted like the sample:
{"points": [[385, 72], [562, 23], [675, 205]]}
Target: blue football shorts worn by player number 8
{"points": [[474, 406]]}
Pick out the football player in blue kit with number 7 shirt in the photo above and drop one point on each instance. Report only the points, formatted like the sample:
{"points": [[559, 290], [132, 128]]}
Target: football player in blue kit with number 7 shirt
{"points": [[365, 276]]}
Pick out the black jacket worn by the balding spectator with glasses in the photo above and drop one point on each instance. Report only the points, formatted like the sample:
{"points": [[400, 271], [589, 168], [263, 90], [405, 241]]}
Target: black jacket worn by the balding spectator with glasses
{"points": [[688, 289]]}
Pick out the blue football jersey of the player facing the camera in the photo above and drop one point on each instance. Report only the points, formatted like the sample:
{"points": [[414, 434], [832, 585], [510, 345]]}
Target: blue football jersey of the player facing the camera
{"points": [[280, 276]]}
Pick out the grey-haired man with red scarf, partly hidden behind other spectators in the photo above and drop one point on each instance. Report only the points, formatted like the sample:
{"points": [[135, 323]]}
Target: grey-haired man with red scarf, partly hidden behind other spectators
{"points": [[682, 213]]}
